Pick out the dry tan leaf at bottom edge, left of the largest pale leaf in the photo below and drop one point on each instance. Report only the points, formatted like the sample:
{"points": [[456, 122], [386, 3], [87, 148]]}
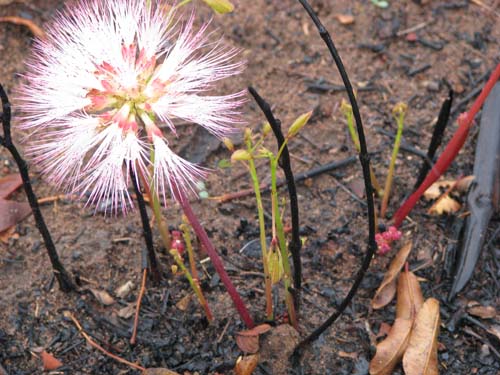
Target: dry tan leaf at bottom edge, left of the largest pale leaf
{"points": [[390, 351]]}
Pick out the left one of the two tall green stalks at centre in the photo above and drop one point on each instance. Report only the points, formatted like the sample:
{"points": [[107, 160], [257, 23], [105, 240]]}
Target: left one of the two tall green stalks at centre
{"points": [[263, 245]]}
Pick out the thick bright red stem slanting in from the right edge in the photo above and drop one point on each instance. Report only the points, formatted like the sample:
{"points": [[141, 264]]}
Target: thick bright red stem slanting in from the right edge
{"points": [[451, 150]]}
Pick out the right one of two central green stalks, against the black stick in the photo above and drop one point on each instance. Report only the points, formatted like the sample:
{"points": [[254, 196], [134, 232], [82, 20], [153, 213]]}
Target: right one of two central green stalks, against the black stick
{"points": [[287, 274]]}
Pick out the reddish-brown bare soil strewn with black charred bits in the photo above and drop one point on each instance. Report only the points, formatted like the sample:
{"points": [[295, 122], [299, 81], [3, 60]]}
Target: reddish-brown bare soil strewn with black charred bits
{"points": [[289, 65]]}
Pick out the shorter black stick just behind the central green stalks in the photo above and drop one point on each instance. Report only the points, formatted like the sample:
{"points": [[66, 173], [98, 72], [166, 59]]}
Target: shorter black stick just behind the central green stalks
{"points": [[295, 244]]}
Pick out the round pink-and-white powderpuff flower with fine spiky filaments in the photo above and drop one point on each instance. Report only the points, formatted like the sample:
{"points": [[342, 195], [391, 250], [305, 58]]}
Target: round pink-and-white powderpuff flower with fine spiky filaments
{"points": [[106, 84]]}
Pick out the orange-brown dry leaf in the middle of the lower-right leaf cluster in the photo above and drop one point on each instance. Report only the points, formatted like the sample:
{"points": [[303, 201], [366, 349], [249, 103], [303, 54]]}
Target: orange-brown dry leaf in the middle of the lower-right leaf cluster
{"points": [[410, 298]]}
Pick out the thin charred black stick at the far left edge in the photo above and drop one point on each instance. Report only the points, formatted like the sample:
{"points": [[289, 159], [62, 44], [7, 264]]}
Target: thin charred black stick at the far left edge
{"points": [[65, 282]]}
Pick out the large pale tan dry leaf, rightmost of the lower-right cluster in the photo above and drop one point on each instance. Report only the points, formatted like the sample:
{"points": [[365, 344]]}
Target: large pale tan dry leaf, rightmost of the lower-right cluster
{"points": [[420, 357]]}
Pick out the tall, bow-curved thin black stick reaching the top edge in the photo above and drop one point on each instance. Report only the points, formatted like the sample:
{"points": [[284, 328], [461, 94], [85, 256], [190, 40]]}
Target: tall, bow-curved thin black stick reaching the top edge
{"points": [[364, 159]]}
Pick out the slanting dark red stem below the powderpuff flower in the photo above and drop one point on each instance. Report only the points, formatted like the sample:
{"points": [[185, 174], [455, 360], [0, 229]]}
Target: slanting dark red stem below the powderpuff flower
{"points": [[214, 257]]}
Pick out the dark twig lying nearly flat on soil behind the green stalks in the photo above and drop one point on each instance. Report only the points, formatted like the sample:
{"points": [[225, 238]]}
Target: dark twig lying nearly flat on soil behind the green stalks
{"points": [[264, 188]]}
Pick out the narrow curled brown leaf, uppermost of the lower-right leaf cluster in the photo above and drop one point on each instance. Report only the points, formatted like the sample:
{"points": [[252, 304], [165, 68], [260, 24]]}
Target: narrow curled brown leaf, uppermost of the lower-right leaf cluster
{"points": [[387, 289]]}
